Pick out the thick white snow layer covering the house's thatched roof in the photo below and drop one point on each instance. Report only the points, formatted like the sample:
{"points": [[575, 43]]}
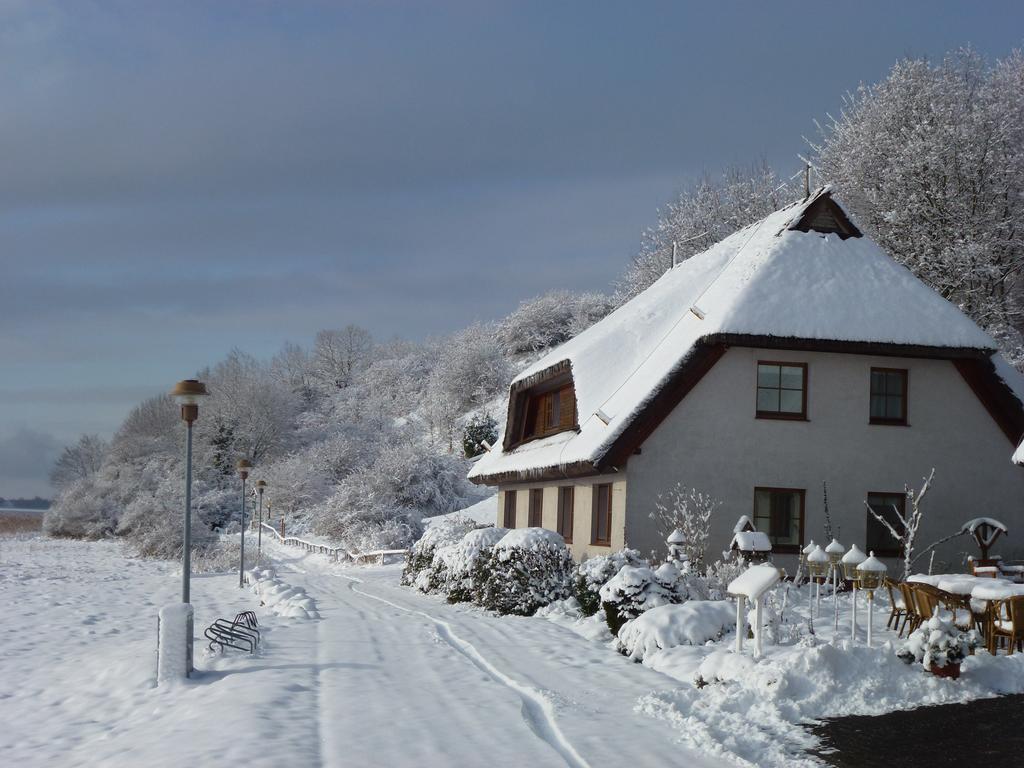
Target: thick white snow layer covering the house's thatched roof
{"points": [[765, 280]]}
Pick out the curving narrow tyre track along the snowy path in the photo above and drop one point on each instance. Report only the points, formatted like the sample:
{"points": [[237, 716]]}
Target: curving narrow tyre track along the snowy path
{"points": [[537, 710]]}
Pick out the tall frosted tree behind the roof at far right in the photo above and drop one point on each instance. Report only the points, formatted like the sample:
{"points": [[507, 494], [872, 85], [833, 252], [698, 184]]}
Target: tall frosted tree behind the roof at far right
{"points": [[930, 162]]}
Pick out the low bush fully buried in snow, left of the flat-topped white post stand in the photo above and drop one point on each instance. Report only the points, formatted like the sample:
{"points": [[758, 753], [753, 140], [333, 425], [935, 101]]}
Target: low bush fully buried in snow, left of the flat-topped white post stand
{"points": [[694, 623]]}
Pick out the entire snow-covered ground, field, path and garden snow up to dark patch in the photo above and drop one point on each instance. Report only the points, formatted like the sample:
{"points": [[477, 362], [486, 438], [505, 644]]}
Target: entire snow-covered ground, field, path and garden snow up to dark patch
{"points": [[357, 670]]}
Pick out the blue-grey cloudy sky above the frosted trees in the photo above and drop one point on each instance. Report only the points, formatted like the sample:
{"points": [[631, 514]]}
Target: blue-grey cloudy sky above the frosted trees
{"points": [[180, 179]]}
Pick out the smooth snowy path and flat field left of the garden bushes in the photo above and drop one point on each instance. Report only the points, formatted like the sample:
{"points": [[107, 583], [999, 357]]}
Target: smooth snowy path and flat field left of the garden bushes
{"points": [[386, 677]]}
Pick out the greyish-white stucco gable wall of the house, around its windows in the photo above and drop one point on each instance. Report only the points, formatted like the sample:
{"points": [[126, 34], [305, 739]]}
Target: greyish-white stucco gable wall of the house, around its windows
{"points": [[713, 442]]}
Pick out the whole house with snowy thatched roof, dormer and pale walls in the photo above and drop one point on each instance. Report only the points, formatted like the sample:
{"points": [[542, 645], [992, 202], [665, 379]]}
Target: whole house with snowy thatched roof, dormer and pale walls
{"points": [[791, 355]]}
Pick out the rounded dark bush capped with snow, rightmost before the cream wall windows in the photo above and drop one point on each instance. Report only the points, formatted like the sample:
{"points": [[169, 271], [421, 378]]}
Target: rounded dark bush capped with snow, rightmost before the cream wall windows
{"points": [[528, 569]]}
